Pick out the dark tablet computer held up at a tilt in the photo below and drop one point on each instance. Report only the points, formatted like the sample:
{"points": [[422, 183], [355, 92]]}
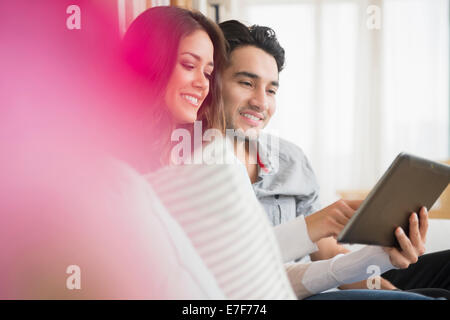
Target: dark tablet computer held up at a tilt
{"points": [[409, 183]]}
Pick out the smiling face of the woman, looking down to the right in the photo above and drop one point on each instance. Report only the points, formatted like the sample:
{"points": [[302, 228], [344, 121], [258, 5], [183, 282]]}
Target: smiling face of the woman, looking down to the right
{"points": [[188, 84]]}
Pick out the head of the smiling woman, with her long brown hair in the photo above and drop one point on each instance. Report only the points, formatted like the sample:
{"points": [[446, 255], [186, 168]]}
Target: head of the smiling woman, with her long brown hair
{"points": [[179, 54]]}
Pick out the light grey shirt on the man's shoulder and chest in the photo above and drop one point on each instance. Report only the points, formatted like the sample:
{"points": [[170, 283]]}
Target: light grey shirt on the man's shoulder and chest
{"points": [[286, 185]]}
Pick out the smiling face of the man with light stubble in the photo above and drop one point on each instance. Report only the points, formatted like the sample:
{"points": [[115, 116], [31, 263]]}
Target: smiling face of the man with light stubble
{"points": [[250, 83]]}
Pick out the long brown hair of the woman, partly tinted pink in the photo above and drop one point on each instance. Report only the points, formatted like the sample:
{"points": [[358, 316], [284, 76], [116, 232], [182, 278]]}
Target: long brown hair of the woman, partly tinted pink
{"points": [[151, 46]]}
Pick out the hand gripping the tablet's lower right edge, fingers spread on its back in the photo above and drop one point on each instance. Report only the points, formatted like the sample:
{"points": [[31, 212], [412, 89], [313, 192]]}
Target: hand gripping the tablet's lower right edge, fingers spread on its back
{"points": [[413, 247]]}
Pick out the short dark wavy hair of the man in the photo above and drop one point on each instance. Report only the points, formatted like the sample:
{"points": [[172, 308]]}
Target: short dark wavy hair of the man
{"points": [[239, 35]]}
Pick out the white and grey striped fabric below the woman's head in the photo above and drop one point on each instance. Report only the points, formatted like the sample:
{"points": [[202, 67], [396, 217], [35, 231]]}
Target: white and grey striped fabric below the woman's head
{"points": [[216, 207]]}
